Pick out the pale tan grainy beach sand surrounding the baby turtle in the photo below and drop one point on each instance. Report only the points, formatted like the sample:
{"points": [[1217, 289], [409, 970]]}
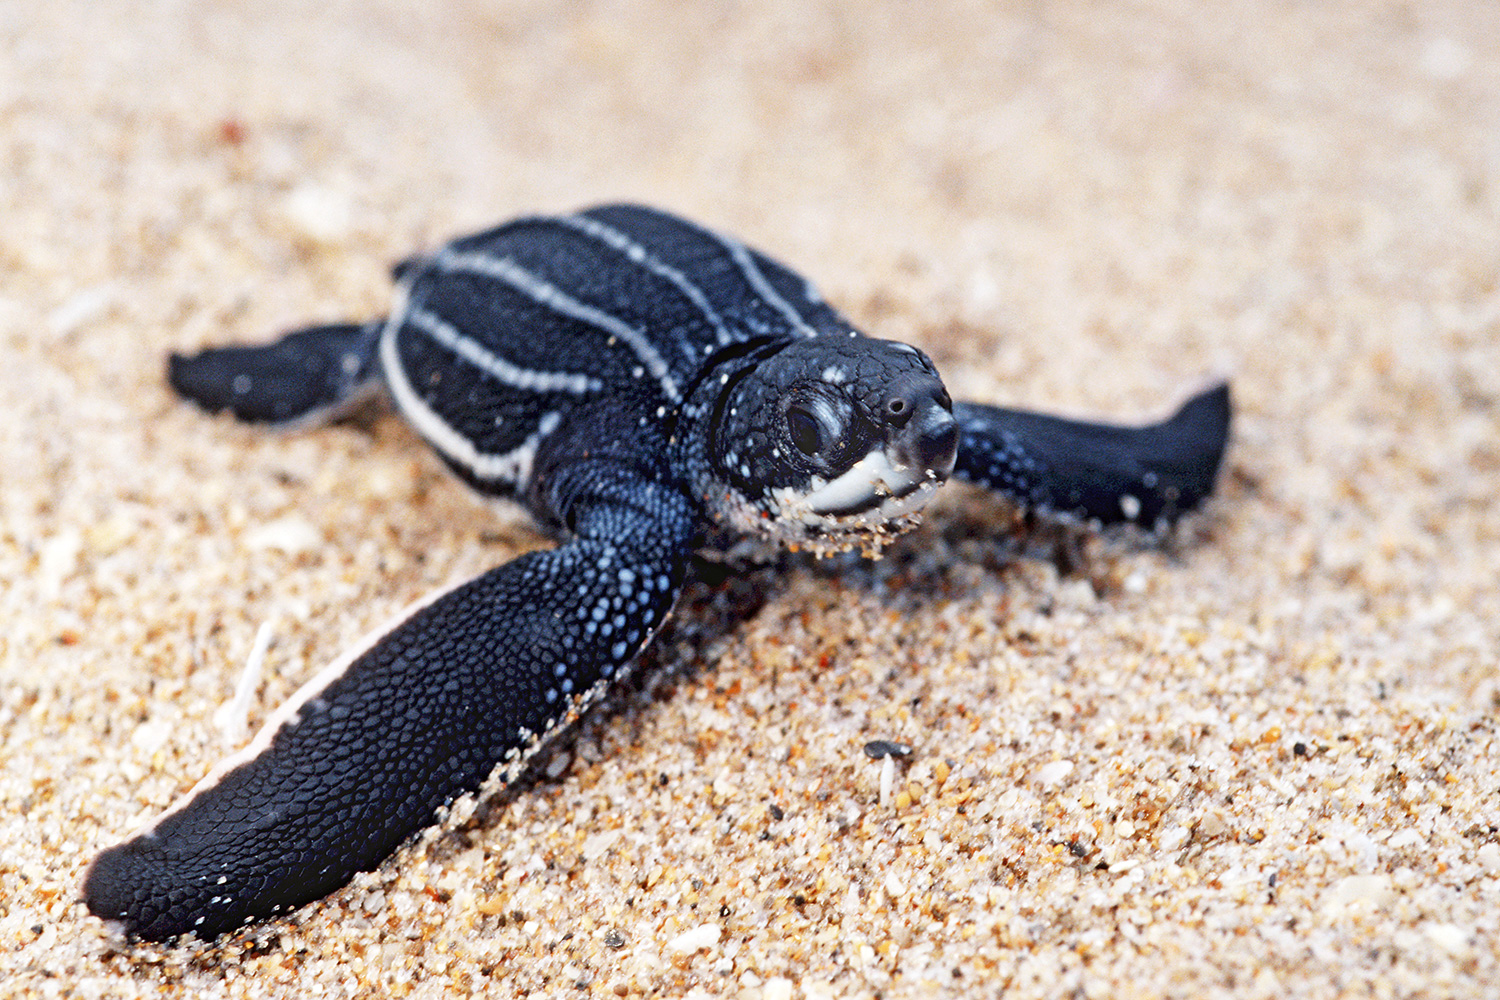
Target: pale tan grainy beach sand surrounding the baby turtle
{"points": [[1256, 762]]}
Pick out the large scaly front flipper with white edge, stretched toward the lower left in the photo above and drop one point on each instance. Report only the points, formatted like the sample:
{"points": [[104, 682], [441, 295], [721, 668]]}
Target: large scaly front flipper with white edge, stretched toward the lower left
{"points": [[368, 752]]}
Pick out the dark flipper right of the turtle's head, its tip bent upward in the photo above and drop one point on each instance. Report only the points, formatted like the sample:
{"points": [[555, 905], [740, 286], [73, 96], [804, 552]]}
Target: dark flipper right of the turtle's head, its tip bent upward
{"points": [[1106, 473]]}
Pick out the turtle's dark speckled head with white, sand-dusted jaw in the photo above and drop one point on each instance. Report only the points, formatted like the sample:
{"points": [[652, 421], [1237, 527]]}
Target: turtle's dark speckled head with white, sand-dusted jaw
{"points": [[835, 443]]}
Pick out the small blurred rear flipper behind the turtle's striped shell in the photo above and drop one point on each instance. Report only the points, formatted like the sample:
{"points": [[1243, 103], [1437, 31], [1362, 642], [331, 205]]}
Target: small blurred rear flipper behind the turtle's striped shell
{"points": [[307, 377]]}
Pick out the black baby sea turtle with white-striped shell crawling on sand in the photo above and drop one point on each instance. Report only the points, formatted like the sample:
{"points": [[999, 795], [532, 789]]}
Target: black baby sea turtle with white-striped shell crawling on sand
{"points": [[646, 388]]}
